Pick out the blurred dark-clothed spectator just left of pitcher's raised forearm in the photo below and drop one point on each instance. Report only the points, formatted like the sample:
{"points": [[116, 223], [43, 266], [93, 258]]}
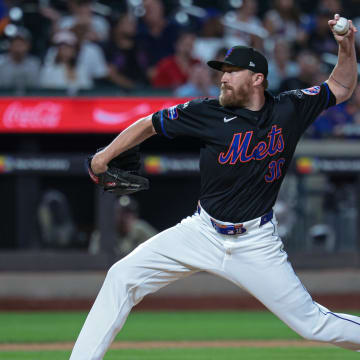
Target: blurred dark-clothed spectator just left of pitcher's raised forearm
{"points": [[309, 73]]}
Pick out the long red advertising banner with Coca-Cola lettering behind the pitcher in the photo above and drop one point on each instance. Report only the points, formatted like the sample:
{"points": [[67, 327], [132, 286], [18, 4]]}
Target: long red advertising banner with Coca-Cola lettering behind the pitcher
{"points": [[75, 115]]}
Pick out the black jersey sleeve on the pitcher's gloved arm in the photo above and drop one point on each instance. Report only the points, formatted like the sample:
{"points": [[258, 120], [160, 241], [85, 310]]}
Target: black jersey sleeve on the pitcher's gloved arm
{"points": [[181, 120]]}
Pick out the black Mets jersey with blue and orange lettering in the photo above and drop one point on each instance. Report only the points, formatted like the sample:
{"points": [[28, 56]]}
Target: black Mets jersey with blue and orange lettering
{"points": [[244, 154]]}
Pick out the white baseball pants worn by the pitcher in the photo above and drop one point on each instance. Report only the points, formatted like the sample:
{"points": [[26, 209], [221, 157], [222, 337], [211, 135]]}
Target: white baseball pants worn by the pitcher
{"points": [[254, 260]]}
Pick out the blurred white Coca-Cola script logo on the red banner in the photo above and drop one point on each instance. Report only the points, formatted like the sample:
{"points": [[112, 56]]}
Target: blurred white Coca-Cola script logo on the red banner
{"points": [[44, 115]]}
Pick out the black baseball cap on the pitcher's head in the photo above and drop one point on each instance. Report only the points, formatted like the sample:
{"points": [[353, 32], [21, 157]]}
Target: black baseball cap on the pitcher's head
{"points": [[244, 57]]}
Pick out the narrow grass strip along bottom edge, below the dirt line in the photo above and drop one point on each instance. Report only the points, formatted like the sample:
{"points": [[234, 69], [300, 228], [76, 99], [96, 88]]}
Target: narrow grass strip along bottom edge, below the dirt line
{"points": [[199, 354]]}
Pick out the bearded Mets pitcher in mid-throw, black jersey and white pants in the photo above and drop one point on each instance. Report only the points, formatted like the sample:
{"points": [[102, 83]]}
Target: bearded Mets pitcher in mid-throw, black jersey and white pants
{"points": [[247, 138]]}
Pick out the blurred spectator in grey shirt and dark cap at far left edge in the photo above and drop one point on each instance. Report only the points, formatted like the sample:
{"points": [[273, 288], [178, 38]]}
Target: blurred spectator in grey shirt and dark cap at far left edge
{"points": [[18, 69]]}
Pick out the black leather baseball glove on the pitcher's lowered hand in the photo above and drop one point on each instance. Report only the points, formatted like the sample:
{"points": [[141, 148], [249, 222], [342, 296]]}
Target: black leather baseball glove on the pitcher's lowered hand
{"points": [[122, 176]]}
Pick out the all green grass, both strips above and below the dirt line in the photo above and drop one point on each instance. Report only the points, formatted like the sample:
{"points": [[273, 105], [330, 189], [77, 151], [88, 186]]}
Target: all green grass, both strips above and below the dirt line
{"points": [[44, 327]]}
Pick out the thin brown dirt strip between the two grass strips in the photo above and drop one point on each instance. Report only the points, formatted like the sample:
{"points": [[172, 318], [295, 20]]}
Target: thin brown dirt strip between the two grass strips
{"points": [[170, 345]]}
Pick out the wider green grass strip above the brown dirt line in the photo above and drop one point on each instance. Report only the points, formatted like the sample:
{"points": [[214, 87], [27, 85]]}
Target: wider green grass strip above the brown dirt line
{"points": [[147, 326]]}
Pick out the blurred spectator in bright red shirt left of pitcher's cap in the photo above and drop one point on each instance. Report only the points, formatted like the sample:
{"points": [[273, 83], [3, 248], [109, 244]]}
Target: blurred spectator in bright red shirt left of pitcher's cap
{"points": [[174, 70]]}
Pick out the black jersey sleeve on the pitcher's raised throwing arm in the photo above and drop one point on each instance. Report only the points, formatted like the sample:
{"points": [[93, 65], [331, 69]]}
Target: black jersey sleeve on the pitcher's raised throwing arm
{"points": [[310, 102]]}
